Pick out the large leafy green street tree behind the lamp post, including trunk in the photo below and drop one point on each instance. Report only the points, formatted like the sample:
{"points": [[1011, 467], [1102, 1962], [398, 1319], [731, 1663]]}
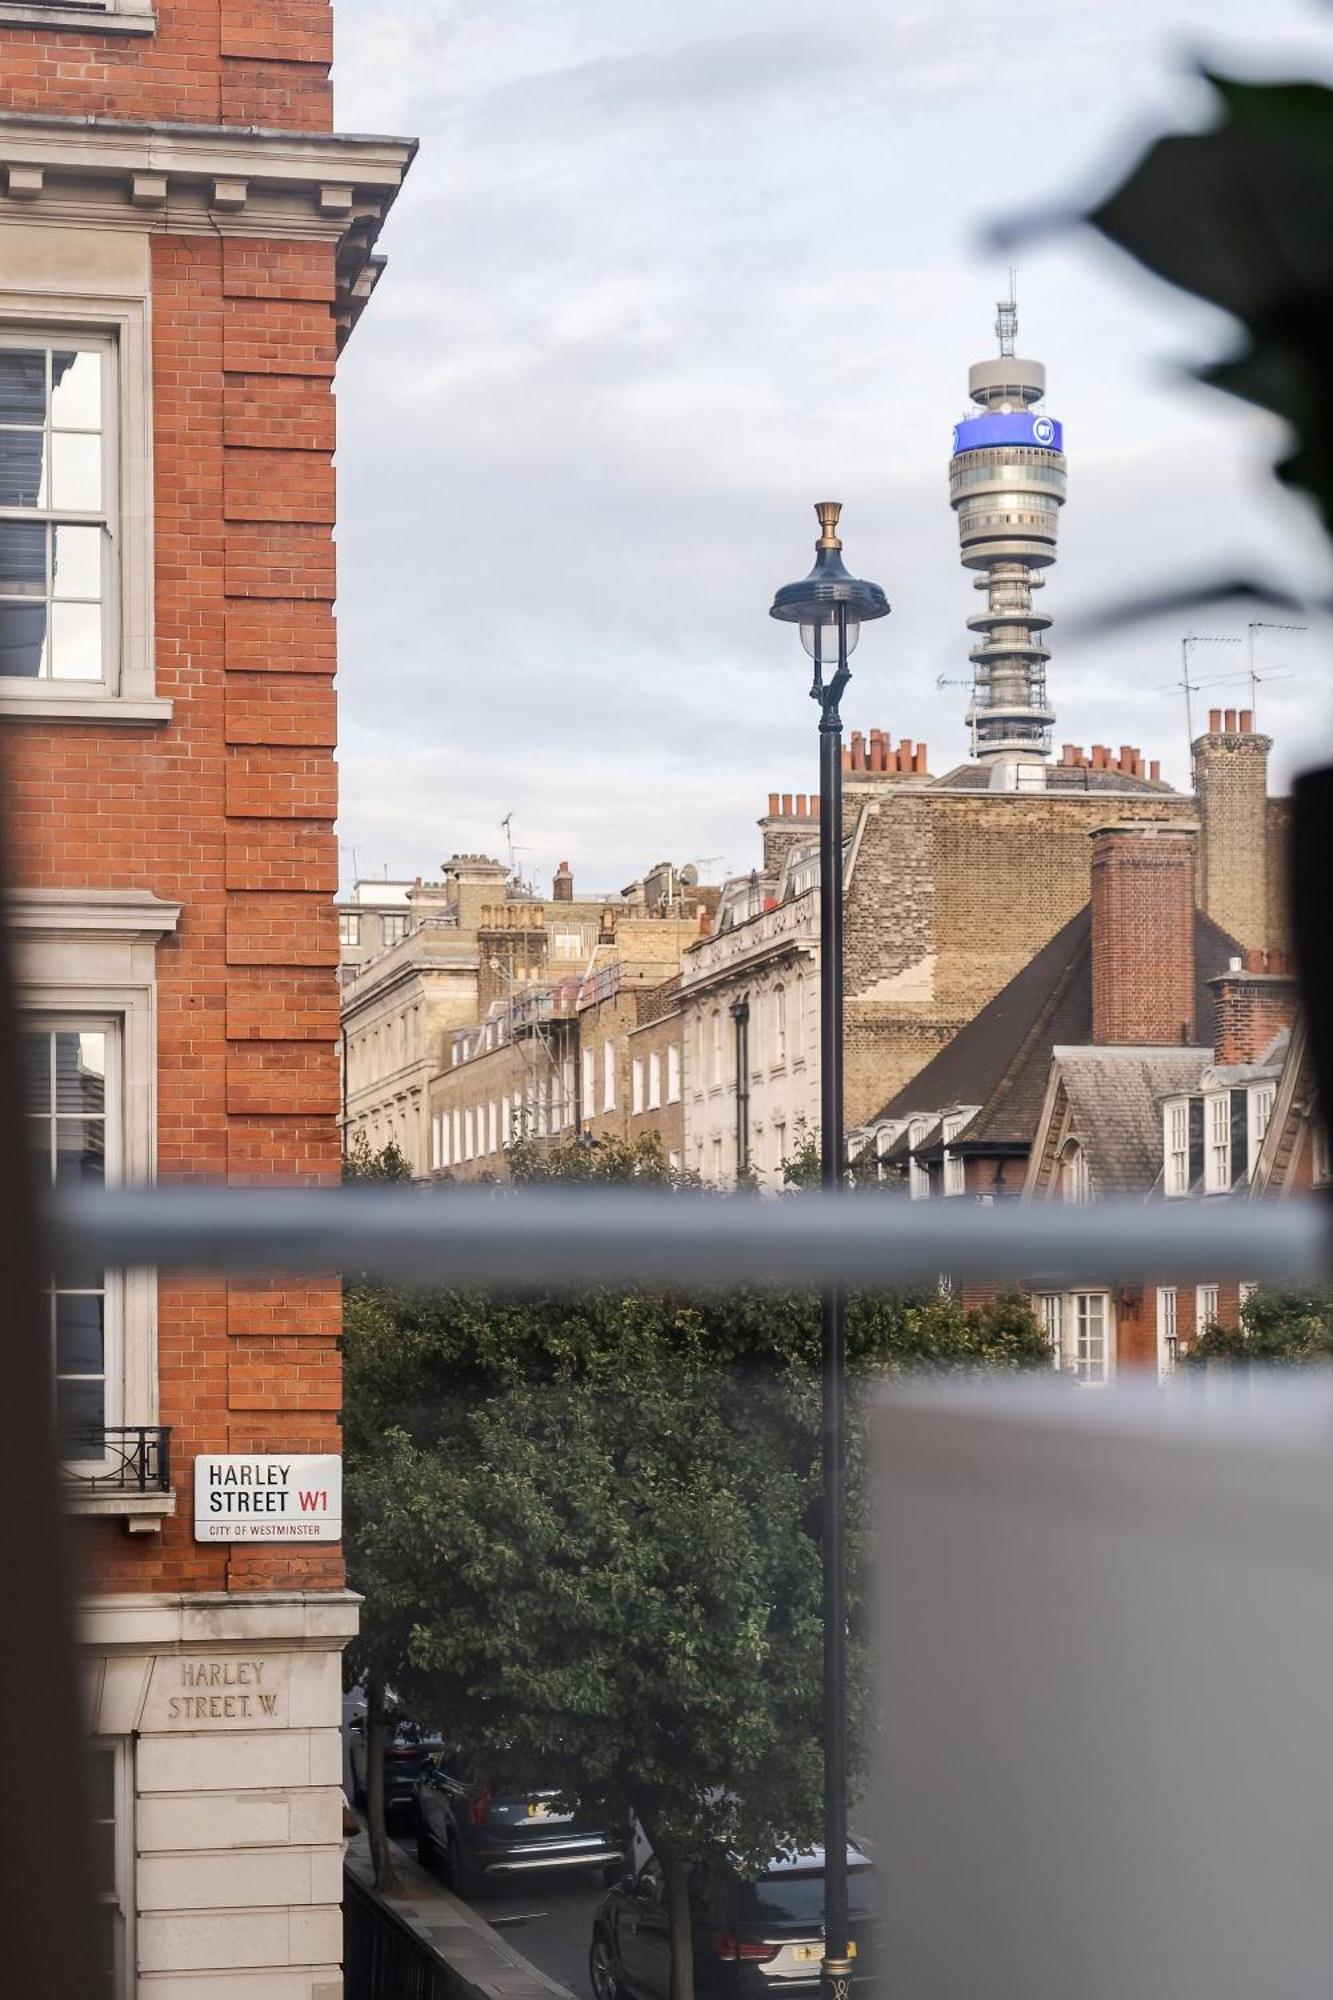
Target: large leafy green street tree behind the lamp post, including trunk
{"points": [[587, 1531]]}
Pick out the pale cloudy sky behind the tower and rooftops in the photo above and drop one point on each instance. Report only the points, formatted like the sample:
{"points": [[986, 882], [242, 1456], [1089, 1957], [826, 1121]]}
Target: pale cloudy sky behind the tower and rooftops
{"points": [[668, 273]]}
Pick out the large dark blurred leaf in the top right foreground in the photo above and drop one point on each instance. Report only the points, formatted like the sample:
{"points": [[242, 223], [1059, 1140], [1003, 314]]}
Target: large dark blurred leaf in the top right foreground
{"points": [[1242, 215]]}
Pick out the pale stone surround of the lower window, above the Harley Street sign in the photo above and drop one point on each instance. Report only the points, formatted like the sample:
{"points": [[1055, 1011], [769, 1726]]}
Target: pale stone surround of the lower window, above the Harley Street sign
{"points": [[91, 957]]}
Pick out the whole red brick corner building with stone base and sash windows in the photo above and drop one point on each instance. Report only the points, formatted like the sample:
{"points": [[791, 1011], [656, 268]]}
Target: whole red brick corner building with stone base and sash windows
{"points": [[183, 247]]}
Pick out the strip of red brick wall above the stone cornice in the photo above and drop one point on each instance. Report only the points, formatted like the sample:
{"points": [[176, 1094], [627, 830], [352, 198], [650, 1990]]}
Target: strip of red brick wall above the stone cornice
{"points": [[235, 63]]}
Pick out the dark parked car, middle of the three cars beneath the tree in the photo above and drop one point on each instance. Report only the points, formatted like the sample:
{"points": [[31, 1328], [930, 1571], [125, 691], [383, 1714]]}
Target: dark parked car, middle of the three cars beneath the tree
{"points": [[481, 1831]]}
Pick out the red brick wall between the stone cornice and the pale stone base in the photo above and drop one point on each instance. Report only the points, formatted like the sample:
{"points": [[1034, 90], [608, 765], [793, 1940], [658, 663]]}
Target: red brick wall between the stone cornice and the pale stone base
{"points": [[227, 811]]}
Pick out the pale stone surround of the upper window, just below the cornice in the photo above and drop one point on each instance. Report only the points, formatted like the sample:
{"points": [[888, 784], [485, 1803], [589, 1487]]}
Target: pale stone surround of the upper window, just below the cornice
{"points": [[49, 309]]}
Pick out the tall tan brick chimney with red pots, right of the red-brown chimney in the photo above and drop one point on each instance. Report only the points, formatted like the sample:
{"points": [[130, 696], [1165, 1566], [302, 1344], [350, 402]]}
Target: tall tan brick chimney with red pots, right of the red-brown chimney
{"points": [[1238, 881]]}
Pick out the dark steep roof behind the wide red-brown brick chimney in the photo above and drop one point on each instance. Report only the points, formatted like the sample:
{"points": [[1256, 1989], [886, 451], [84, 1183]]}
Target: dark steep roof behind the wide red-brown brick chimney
{"points": [[1002, 1059]]}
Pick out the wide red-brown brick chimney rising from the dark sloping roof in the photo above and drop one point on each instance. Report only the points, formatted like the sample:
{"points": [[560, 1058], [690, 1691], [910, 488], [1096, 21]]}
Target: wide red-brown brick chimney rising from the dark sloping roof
{"points": [[1144, 933]]}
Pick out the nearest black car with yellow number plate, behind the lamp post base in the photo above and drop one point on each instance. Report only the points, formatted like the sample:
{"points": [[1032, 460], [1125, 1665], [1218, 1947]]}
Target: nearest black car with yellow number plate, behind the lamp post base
{"points": [[752, 1939]]}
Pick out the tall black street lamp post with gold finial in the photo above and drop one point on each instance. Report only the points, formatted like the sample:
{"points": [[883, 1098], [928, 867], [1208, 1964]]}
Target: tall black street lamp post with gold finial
{"points": [[832, 607]]}
